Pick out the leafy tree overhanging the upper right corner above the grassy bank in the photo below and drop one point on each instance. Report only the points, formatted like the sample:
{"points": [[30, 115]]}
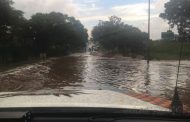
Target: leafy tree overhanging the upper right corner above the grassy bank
{"points": [[177, 12]]}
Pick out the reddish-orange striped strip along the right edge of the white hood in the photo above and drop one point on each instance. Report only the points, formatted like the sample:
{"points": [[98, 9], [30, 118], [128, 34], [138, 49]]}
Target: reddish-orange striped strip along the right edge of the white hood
{"points": [[166, 103]]}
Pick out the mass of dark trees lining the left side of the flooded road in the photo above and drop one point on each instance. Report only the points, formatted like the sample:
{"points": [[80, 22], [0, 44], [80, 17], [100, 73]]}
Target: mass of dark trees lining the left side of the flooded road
{"points": [[52, 33]]}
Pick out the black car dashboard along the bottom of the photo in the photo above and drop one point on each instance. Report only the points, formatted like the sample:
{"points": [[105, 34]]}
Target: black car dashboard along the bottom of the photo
{"points": [[87, 115]]}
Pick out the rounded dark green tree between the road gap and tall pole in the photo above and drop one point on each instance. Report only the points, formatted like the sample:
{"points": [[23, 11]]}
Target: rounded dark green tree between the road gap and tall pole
{"points": [[115, 36]]}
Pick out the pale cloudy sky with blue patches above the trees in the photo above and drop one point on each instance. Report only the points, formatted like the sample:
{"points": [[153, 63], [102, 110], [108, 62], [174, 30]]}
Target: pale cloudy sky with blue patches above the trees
{"points": [[133, 12]]}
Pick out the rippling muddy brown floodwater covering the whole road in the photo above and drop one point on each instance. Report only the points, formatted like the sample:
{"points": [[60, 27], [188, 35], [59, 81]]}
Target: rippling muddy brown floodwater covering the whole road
{"points": [[82, 71]]}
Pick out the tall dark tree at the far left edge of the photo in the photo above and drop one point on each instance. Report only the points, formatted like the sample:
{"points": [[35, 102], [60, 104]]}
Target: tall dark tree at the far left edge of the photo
{"points": [[11, 26]]}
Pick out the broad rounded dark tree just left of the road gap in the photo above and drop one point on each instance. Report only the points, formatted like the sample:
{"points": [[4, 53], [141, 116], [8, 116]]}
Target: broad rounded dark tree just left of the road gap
{"points": [[58, 33]]}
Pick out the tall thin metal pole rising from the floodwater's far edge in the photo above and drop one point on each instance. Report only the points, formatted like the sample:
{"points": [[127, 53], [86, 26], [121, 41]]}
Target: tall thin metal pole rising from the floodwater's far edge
{"points": [[148, 50]]}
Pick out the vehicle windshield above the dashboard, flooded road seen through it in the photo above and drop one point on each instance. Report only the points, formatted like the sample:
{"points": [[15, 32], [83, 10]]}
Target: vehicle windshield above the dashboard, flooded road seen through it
{"points": [[95, 53]]}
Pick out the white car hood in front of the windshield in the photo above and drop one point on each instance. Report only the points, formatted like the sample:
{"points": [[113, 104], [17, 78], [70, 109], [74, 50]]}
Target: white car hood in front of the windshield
{"points": [[84, 98]]}
